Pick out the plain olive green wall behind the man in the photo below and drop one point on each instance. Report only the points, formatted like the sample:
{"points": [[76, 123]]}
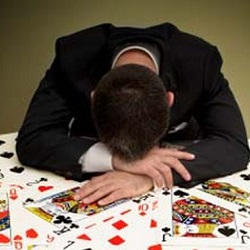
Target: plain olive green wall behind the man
{"points": [[28, 30]]}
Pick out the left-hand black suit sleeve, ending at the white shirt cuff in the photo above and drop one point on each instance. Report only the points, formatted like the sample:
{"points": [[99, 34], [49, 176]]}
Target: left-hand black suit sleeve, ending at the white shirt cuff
{"points": [[43, 141]]}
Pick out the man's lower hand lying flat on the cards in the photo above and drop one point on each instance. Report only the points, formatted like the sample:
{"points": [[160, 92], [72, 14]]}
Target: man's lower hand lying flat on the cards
{"points": [[113, 186]]}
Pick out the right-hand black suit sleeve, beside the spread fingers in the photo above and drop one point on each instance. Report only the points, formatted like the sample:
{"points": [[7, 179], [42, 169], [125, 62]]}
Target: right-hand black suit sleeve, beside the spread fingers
{"points": [[223, 147]]}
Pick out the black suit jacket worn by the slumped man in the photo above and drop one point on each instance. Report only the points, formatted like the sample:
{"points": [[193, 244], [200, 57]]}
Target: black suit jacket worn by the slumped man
{"points": [[58, 127]]}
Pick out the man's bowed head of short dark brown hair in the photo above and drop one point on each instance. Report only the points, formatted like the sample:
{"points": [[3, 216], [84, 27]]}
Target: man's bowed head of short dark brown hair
{"points": [[130, 110]]}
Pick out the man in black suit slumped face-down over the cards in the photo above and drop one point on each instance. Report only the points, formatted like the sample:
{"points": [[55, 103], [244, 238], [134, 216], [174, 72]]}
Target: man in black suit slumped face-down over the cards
{"points": [[70, 127]]}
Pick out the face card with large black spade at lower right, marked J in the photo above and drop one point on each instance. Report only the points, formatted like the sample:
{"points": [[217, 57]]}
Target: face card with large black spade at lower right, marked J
{"points": [[196, 219]]}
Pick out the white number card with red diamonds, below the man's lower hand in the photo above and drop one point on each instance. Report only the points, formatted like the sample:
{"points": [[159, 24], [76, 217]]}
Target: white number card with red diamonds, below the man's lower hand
{"points": [[116, 229]]}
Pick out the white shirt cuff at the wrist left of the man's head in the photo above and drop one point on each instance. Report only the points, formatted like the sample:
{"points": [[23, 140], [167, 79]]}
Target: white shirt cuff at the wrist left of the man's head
{"points": [[96, 159]]}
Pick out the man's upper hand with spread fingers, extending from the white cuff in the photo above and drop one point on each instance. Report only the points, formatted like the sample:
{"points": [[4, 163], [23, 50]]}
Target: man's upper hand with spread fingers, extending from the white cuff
{"points": [[158, 164]]}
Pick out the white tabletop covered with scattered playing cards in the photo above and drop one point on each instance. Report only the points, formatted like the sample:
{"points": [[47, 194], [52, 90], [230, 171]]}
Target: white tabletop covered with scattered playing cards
{"points": [[173, 219]]}
